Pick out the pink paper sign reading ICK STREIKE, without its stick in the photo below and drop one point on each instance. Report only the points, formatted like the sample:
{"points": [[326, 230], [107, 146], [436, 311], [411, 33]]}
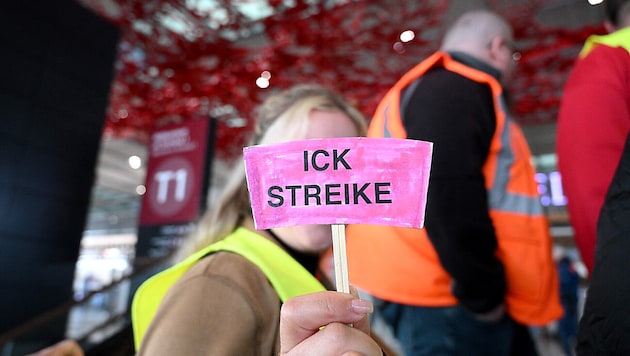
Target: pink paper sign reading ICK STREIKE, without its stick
{"points": [[380, 181]]}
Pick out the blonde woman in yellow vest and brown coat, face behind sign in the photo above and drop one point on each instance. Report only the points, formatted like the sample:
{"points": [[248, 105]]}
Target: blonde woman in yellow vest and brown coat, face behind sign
{"points": [[225, 298]]}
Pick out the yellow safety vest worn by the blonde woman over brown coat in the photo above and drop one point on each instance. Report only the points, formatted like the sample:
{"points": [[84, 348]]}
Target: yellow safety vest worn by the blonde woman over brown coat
{"points": [[287, 276]]}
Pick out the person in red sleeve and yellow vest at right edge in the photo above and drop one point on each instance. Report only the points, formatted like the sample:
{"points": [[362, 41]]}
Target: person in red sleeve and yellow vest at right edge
{"points": [[593, 122]]}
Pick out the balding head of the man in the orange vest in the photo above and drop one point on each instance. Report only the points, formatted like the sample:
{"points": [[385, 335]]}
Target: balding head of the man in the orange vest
{"points": [[484, 35]]}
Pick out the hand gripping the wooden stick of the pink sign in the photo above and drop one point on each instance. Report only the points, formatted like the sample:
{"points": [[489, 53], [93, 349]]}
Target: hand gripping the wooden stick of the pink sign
{"points": [[318, 324]]}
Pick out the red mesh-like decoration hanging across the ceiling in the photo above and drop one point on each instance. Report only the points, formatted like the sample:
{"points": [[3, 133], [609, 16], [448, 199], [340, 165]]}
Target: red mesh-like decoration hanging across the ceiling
{"points": [[181, 60]]}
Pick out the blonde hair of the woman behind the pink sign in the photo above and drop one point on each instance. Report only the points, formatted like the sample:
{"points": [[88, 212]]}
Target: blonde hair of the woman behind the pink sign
{"points": [[282, 117]]}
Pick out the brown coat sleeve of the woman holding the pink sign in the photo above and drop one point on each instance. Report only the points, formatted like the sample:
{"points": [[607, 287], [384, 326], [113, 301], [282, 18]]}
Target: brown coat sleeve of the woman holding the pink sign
{"points": [[240, 313]]}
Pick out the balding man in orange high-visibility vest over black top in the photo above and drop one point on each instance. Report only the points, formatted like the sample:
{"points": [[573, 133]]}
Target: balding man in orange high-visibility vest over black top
{"points": [[482, 268]]}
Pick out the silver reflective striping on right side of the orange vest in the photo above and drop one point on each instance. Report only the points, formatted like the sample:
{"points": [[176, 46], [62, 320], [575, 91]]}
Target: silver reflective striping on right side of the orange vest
{"points": [[498, 197]]}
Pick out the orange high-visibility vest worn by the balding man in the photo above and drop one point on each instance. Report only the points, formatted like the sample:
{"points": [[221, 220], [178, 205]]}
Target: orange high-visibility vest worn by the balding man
{"points": [[401, 265]]}
